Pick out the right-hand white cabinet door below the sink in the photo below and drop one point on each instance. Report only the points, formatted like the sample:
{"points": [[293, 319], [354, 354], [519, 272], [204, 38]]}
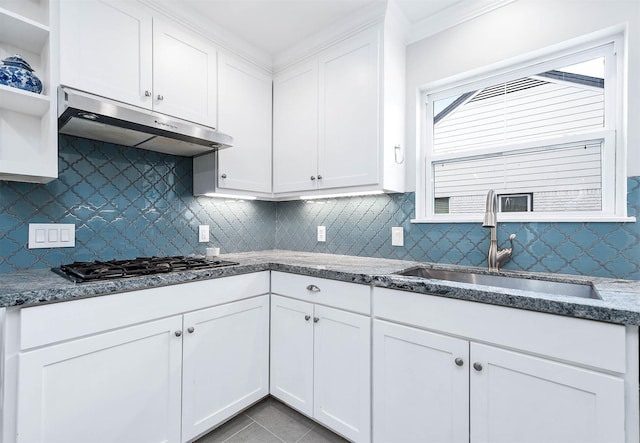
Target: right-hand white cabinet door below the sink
{"points": [[515, 397]]}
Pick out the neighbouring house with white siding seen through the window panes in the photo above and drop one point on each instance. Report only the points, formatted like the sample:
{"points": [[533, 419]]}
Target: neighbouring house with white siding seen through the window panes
{"points": [[564, 177]]}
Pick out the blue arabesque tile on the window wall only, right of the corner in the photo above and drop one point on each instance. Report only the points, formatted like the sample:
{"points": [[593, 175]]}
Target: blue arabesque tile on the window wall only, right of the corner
{"points": [[362, 226]]}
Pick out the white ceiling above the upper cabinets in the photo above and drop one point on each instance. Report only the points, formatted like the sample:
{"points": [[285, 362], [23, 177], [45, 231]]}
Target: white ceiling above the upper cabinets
{"points": [[275, 25]]}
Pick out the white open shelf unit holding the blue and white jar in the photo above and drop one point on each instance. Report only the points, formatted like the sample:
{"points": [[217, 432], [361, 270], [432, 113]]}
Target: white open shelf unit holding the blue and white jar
{"points": [[28, 121]]}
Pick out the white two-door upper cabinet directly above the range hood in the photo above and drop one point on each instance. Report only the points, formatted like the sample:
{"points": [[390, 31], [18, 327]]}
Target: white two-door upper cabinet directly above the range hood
{"points": [[148, 62]]}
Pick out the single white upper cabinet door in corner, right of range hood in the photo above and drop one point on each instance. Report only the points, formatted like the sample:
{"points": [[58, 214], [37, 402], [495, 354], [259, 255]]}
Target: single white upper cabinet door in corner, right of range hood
{"points": [[244, 112]]}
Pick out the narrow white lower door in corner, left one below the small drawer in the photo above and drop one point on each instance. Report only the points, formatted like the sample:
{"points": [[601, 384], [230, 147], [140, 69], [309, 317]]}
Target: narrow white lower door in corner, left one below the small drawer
{"points": [[292, 352]]}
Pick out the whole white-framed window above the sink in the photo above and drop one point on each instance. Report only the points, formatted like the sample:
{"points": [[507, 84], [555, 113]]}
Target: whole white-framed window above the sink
{"points": [[547, 131]]}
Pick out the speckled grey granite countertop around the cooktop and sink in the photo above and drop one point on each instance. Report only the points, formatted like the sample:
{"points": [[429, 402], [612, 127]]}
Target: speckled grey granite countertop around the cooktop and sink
{"points": [[620, 298]]}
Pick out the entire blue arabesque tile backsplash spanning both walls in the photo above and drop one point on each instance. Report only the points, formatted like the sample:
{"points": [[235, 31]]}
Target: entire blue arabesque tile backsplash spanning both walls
{"points": [[128, 202]]}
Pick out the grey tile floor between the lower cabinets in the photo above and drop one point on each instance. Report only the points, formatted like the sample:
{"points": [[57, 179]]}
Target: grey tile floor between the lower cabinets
{"points": [[271, 421]]}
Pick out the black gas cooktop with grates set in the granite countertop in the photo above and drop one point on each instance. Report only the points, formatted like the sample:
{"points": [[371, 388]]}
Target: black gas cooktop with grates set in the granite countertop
{"points": [[103, 270]]}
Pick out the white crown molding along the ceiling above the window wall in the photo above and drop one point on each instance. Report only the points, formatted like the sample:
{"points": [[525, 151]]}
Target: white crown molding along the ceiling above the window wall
{"points": [[452, 16]]}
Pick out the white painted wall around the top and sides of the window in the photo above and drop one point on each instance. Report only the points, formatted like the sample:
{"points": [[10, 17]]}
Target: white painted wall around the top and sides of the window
{"points": [[518, 28]]}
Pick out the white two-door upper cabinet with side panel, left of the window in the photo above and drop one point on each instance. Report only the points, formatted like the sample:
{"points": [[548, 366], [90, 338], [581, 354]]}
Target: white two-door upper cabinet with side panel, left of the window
{"points": [[338, 118]]}
